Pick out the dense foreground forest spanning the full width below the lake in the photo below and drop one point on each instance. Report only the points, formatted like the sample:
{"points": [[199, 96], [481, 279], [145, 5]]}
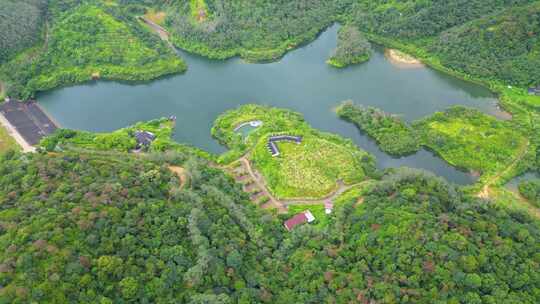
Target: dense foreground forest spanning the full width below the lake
{"points": [[85, 228]]}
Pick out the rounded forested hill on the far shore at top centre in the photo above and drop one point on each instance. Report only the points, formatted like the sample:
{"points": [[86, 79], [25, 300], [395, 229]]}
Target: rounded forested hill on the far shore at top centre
{"points": [[256, 30]]}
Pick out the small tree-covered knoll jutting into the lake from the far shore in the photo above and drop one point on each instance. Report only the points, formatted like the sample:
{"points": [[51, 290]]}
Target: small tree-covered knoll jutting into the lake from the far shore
{"points": [[352, 48]]}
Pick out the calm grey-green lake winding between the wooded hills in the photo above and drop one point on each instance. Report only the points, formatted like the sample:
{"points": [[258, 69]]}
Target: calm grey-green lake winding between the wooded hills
{"points": [[301, 81]]}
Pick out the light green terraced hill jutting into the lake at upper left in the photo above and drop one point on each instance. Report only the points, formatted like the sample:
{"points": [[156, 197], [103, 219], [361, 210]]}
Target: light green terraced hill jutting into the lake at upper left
{"points": [[90, 42]]}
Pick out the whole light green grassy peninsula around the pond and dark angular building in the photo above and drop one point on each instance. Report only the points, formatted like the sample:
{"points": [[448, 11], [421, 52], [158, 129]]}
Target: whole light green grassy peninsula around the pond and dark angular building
{"points": [[311, 169]]}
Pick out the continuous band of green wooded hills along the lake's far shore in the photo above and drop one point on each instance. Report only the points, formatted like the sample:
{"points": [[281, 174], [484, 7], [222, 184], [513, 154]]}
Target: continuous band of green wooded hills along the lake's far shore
{"points": [[490, 40]]}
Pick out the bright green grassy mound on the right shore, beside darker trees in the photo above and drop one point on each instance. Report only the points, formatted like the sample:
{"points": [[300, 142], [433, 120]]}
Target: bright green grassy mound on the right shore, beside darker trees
{"points": [[469, 139]]}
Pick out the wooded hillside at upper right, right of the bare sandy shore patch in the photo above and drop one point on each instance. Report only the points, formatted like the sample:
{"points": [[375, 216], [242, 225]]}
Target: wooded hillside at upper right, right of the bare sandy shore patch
{"points": [[505, 46]]}
